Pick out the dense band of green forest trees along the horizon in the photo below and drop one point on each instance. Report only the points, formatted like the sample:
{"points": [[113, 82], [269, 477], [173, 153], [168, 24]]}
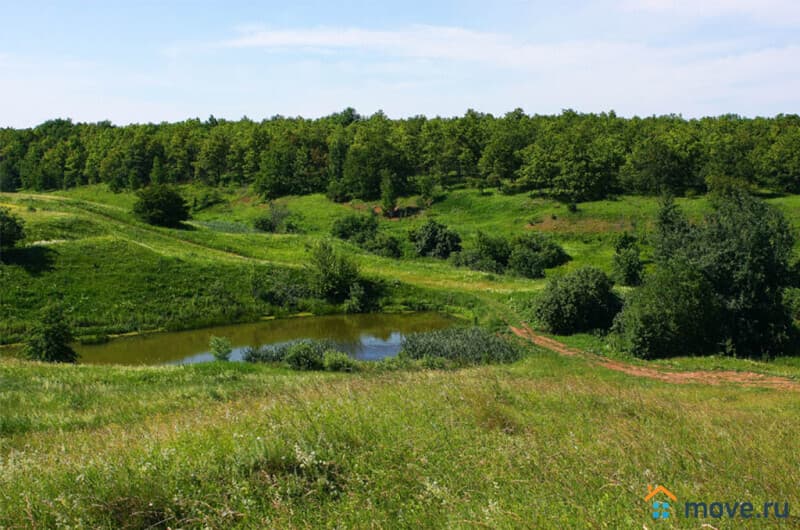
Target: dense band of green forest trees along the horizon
{"points": [[571, 156]]}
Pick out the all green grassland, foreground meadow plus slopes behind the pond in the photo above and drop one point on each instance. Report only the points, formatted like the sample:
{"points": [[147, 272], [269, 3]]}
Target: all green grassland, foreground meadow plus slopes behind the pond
{"points": [[548, 442]]}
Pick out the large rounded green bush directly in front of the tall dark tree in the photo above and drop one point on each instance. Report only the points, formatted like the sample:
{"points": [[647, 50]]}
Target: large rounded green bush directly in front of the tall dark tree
{"points": [[674, 313]]}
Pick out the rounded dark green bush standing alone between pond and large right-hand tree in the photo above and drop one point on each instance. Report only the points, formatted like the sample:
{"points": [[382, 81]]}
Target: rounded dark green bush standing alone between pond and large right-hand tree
{"points": [[579, 301]]}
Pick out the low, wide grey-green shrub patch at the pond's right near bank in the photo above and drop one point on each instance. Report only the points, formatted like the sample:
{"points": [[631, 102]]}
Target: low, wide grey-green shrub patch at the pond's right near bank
{"points": [[463, 346]]}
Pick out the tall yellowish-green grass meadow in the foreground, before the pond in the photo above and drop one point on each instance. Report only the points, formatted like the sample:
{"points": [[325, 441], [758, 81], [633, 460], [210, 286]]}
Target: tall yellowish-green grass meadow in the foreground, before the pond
{"points": [[547, 442]]}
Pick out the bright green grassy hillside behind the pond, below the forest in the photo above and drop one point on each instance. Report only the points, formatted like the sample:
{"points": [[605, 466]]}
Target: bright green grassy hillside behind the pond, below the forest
{"points": [[85, 246]]}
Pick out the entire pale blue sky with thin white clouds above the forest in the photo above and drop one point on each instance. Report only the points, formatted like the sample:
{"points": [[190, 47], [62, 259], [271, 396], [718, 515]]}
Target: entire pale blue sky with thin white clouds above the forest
{"points": [[152, 61]]}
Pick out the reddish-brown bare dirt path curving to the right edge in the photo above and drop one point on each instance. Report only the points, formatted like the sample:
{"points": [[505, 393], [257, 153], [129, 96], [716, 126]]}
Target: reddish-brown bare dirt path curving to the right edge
{"points": [[707, 377]]}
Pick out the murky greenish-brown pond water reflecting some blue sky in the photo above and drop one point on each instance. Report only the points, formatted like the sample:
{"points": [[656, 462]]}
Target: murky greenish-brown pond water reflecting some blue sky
{"points": [[366, 337]]}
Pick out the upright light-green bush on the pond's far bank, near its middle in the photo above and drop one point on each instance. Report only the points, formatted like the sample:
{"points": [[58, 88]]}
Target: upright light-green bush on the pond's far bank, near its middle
{"points": [[331, 274]]}
